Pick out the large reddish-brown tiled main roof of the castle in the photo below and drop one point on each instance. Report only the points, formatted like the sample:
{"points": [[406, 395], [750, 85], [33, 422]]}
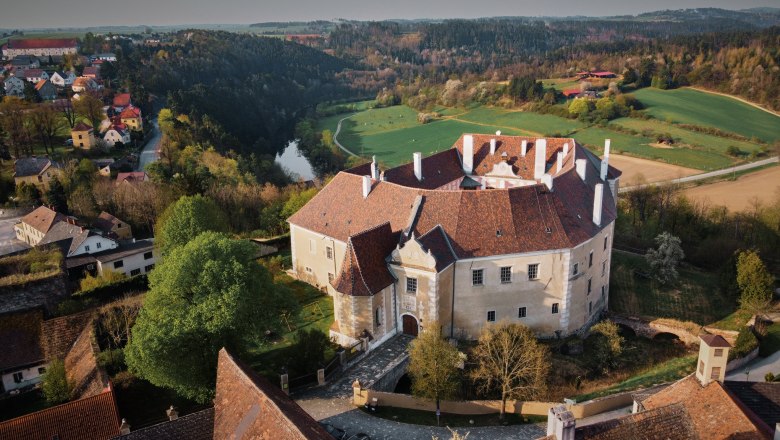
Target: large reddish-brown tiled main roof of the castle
{"points": [[476, 223]]}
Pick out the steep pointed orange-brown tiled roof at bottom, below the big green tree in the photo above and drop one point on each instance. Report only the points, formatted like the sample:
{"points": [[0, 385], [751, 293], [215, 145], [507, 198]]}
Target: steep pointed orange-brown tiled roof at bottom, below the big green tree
{"points": [[248, 406]]}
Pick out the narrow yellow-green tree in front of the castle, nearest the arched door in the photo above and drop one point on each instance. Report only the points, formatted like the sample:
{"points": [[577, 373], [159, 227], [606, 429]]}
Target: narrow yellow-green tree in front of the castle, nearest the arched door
{"points": [[433, 365]]}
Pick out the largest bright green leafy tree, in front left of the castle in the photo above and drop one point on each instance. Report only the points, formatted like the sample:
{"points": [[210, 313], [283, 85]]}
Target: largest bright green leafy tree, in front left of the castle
{"points": [[205, 295]]}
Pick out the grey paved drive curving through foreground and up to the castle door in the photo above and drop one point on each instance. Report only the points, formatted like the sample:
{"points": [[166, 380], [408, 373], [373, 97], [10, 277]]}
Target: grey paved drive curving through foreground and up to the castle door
{"points": [[332, 404]]}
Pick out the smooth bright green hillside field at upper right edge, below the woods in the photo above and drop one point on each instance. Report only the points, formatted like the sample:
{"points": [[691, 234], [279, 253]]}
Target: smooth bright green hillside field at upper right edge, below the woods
{"points": [[689, 106]]}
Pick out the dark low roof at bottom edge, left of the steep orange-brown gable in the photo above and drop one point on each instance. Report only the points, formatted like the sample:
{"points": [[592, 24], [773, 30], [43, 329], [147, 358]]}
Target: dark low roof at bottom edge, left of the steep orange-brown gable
{"points": [[196, 426]]}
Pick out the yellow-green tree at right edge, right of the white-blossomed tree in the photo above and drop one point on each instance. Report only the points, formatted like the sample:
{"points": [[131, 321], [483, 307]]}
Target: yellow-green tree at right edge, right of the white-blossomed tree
{"points": [[755, 282]]}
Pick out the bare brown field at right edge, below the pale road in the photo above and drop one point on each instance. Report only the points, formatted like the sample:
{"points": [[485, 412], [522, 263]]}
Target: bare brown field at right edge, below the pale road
{"points": [[740, 195]]}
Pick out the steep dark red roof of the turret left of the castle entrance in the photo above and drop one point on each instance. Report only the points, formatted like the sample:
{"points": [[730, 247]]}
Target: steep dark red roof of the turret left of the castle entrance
{"points": [[364, 271]]}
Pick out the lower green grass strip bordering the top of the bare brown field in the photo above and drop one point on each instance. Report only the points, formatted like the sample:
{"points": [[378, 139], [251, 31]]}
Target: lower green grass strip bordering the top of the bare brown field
{"points": [[639, 146]]}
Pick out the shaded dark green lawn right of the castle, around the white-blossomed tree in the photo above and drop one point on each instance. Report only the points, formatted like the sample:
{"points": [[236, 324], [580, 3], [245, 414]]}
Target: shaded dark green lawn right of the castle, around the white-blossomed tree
{"points": [[695, 297]]}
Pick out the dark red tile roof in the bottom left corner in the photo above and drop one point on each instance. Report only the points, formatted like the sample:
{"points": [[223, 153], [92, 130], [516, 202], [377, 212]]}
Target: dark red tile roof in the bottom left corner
{"points": [[93, 418]]}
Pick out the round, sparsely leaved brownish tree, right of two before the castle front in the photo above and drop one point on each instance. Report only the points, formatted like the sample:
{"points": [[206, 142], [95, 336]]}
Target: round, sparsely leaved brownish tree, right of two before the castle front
{"points": [[510, 359]]}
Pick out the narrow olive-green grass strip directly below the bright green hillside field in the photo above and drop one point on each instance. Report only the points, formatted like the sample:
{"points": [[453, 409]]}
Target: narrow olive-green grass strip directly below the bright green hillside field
{"points": [[688, 137]]}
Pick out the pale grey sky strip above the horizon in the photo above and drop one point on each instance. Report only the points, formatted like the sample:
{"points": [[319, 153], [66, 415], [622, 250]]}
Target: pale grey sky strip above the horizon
{"points": [[22, 14]]}
